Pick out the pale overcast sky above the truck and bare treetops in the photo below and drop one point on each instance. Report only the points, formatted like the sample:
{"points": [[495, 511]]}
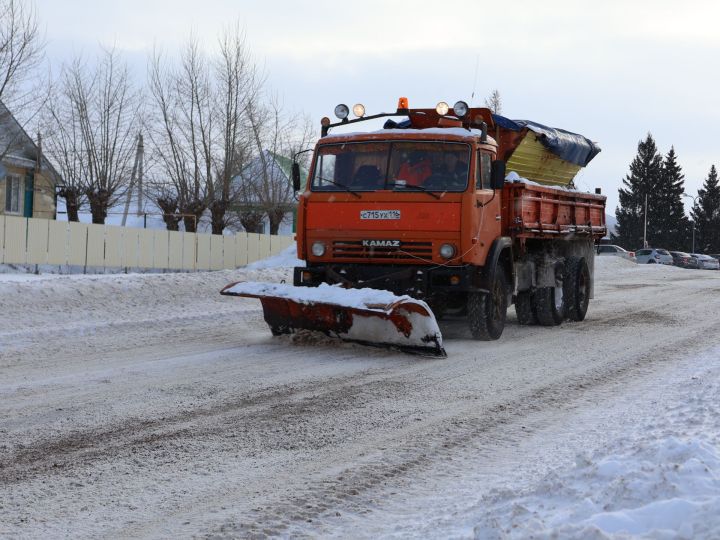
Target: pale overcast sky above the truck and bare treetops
{"points": [[613, 71]]}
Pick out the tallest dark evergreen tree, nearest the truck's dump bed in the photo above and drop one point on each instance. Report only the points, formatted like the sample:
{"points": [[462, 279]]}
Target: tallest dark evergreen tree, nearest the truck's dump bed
{"points": [[645, 175]]}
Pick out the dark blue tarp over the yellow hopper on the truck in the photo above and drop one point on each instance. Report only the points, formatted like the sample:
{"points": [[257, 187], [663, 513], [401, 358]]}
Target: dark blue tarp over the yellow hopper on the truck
{"points": [[569, 146]]}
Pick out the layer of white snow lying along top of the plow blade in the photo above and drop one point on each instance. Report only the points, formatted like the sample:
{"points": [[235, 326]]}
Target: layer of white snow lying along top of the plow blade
{"points": [[327, 294]]}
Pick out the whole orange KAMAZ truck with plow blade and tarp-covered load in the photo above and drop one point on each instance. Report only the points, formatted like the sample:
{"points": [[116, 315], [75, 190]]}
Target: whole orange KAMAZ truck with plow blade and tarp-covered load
{"points": [[463, 211]]}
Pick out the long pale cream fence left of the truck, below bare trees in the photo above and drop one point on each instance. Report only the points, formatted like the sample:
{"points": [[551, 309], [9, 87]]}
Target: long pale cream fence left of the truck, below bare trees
{"points": [[42, 241]]}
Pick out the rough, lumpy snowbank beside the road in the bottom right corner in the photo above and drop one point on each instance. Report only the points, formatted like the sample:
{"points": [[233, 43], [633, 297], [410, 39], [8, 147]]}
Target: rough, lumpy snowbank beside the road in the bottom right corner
{"points": [[662, 480]]}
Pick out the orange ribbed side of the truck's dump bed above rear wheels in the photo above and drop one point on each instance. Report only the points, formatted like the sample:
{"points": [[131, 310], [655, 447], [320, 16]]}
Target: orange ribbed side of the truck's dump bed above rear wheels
{"points": [[535, 211]]}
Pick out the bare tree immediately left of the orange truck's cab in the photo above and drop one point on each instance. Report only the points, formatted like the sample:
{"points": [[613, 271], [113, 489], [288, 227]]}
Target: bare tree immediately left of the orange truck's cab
{"points": [[277, 136]]}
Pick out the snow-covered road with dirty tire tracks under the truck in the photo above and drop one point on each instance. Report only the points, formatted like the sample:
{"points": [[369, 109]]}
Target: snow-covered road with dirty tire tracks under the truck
{"points": [[149, 405]]}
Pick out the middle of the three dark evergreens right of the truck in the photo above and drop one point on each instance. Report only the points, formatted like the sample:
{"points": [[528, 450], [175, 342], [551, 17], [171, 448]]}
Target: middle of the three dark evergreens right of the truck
{"points": [[671, 228]]}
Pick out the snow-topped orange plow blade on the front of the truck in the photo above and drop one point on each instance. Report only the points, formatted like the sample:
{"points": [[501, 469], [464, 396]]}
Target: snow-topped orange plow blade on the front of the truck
{"points": [[366, 316]]}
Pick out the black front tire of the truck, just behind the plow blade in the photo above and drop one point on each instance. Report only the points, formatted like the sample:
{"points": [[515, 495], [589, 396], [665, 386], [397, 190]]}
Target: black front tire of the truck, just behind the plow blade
{"points": [[487, 312]]}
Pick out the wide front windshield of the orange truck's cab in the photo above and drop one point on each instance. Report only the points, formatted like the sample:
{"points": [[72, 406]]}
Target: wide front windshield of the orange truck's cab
{"points": [[406, 166]]}
